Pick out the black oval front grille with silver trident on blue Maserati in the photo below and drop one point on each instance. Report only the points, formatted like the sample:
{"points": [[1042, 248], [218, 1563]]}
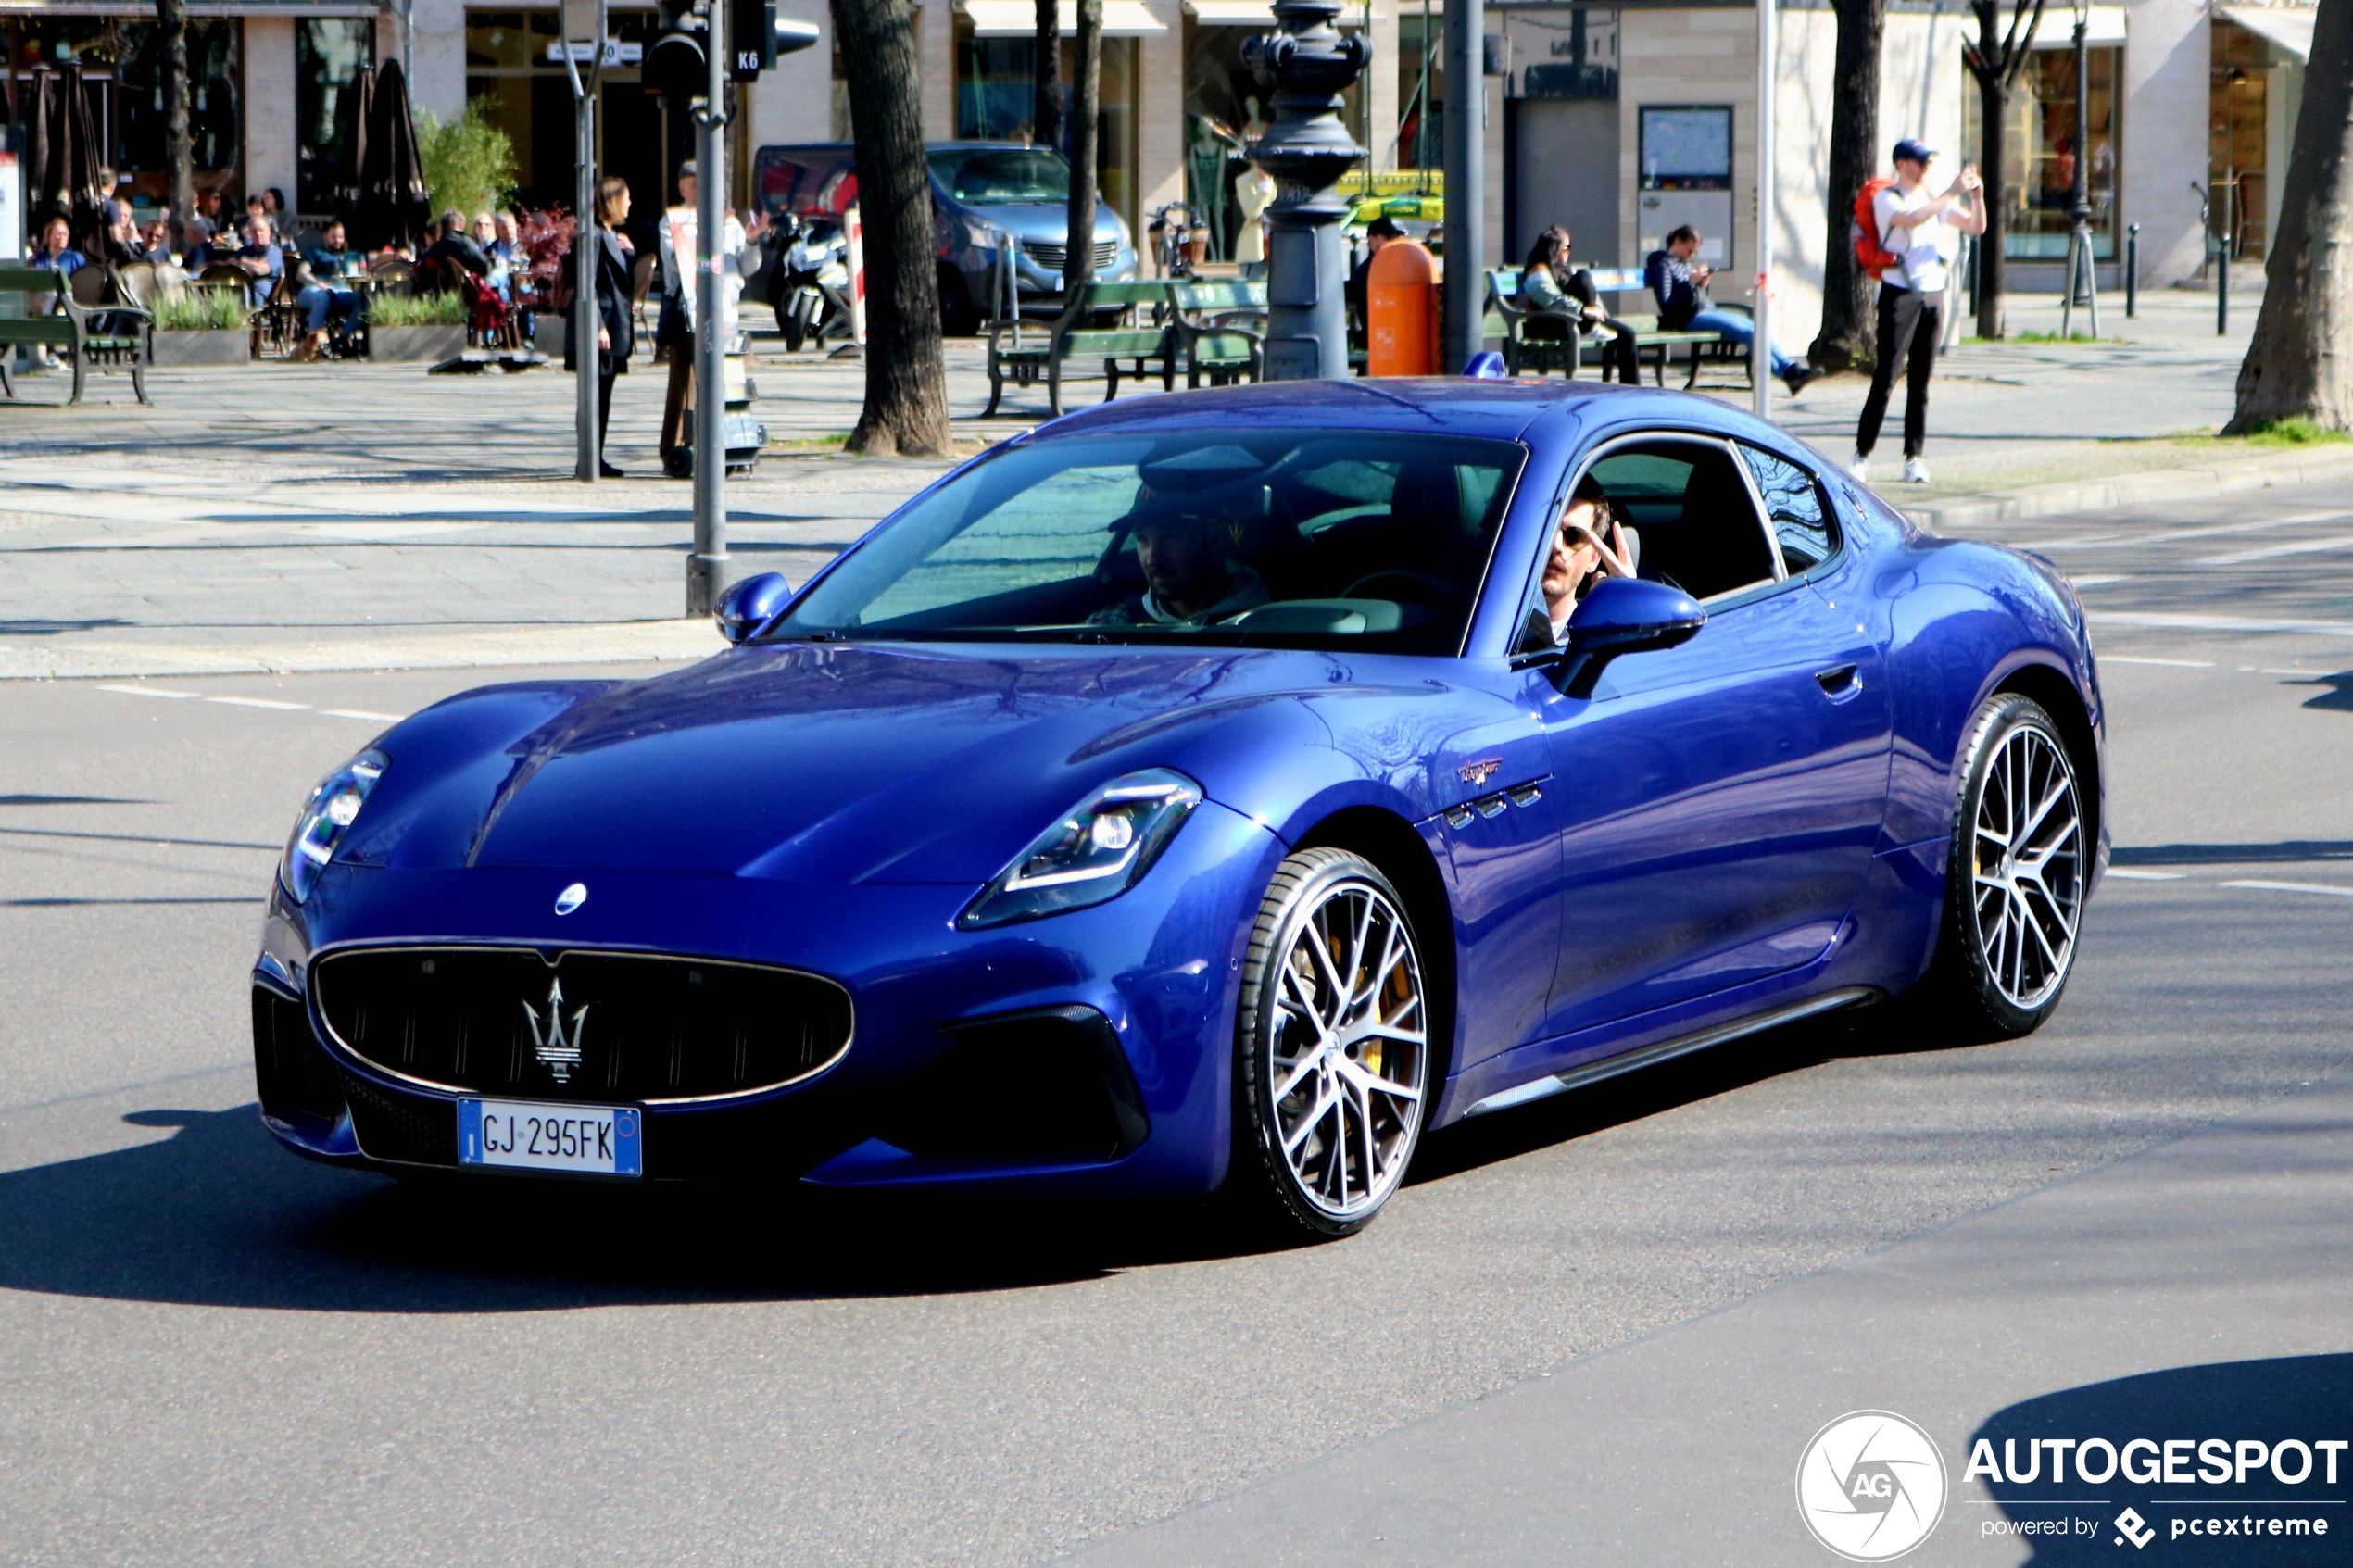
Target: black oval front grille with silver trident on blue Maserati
{"points": [[592, 1026]]}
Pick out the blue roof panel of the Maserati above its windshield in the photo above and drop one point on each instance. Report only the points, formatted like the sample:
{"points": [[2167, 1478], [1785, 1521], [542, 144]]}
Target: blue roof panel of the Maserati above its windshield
{"points": [[1439, 406]]}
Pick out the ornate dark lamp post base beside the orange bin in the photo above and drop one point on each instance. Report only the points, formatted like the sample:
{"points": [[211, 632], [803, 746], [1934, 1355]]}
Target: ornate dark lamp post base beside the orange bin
{"points": [[1307, 149]]}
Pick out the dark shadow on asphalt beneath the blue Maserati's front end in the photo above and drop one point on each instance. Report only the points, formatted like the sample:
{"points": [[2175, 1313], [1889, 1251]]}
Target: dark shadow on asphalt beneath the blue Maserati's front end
{"points": [[218, 1214]]}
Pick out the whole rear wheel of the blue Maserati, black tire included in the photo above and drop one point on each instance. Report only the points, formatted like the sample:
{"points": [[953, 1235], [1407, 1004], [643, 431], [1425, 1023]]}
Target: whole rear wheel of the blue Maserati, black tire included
{"points": [[2015, 890]]}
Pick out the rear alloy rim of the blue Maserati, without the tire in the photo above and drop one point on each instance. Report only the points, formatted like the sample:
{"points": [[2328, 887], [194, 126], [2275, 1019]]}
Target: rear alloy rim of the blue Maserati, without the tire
{"points": [[2027, 869]]}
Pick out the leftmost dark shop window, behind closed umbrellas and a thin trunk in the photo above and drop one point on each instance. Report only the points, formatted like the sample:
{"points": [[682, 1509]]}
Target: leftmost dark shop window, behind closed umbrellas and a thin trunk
{"points": [[121, 69]]}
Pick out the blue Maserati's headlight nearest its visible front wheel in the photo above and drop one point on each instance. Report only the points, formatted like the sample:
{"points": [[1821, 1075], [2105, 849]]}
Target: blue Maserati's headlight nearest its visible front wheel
{"points": [[1095, 852]]}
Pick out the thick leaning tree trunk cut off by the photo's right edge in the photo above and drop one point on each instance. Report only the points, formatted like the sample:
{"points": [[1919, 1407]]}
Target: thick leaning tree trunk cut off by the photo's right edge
{"points": [[2298, 366]]}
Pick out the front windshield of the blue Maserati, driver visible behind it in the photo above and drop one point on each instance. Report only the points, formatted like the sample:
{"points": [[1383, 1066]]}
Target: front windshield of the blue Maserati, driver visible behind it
{"points": [[1237, 537]]}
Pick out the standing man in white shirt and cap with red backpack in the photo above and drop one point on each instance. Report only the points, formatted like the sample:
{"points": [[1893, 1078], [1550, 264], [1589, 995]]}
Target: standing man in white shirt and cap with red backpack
{"points": [[1907, 241]]}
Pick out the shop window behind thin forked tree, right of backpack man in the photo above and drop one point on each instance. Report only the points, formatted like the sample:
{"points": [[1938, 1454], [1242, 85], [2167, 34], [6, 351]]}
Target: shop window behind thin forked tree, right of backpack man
{"points": [[2039, 154]]}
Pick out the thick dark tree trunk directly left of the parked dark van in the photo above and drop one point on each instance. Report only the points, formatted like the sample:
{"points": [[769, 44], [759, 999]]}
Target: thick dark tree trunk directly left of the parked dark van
{"points": [[907, 382]]}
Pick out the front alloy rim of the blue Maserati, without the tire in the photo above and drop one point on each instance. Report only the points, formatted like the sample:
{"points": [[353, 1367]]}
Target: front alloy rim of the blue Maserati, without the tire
{"points": [[1349, 1052]]}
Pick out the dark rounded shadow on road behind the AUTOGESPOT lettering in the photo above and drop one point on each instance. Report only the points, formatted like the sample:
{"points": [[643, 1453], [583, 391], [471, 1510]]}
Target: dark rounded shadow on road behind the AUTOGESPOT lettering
{"points": [[2269, 1402]]}
